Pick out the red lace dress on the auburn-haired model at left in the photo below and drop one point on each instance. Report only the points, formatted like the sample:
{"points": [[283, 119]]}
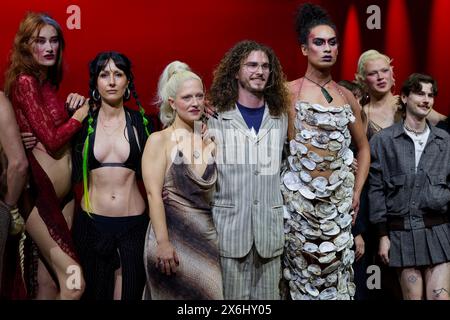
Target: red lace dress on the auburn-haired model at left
{"points": [[38, 110]]}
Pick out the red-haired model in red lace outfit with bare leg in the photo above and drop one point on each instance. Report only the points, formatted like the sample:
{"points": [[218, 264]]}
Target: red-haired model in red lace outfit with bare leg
{"points": [[32, 80]]}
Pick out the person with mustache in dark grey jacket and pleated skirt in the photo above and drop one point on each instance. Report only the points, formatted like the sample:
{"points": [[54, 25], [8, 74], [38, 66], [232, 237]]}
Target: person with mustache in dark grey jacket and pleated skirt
{"points": [[409, 195]]}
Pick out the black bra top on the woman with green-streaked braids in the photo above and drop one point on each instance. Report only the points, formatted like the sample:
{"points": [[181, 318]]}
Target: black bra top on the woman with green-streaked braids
{"points": [[134, 157]]}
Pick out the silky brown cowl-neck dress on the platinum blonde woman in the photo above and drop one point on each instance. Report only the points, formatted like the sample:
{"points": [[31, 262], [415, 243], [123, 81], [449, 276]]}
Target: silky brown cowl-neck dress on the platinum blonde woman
{"points": [[192, 233]]}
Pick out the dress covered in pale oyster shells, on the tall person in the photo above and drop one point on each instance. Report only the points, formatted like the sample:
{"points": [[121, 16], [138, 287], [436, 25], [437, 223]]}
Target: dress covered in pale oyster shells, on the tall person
{"points": [[318, 240]]}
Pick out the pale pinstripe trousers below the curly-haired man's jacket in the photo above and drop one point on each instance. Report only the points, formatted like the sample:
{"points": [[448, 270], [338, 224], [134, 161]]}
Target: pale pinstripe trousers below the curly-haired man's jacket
{"points": [[251, 277]]}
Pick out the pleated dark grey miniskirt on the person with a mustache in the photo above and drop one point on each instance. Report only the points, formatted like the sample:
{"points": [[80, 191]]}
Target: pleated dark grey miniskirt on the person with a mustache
{"points": [[420, 247]]}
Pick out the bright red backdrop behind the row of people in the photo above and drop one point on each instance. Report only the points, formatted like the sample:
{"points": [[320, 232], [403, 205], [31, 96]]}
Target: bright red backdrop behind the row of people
{"points": [[153, 33]]}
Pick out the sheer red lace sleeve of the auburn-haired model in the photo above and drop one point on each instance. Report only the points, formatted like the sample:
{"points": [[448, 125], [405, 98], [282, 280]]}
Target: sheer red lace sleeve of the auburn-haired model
{"points": [[38, 109]]}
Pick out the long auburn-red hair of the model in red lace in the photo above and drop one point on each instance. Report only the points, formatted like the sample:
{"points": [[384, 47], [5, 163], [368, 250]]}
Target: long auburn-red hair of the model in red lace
{"points": [[22, 60]]}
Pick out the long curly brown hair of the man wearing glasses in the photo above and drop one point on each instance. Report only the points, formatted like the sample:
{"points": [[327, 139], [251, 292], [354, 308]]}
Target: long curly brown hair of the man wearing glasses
{"points": [[224, 89]]}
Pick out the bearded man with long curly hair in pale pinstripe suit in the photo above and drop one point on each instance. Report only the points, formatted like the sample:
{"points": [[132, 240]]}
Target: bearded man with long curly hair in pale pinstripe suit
{"points": [[249, 94]]}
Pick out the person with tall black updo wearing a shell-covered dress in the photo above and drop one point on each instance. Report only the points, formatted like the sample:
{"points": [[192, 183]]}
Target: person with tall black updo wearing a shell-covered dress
{"points": [[321, 190]]}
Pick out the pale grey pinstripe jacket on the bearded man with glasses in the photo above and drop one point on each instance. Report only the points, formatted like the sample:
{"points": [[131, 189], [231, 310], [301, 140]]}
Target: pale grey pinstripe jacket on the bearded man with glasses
{"points": [[247, 204]]}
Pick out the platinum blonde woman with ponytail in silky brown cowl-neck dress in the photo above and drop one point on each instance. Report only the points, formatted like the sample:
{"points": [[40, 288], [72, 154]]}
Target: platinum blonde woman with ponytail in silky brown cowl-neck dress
{"points": [[181, 253]]}
